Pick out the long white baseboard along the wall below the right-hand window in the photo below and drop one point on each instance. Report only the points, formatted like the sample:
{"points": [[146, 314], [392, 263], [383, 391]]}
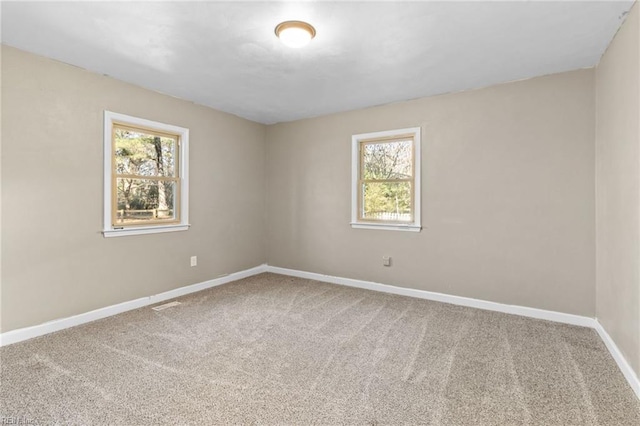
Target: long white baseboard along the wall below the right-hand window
{"points": [[441, 297]]}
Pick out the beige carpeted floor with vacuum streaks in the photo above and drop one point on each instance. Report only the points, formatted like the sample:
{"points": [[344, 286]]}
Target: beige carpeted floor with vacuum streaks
{"points": [[279, 350]]}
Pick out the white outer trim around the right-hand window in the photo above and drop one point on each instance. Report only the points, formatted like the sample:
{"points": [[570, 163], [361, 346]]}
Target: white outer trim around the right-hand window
{"points": [[355, 158]]}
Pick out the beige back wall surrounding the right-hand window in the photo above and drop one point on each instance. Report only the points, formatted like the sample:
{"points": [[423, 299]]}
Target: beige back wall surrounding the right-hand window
{"points": [[508, 199]]}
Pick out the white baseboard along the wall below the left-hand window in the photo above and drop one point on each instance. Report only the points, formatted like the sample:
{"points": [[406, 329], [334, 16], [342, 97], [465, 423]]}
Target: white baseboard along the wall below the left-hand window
{"points": [[21, 334]]}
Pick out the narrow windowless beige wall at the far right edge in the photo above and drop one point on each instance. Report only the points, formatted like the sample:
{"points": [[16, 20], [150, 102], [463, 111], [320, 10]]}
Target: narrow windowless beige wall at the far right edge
{"points": [[618, 189]]}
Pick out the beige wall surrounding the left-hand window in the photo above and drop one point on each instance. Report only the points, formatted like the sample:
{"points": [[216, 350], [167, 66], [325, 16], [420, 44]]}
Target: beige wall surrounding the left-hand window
{"points": [[55, 261]]}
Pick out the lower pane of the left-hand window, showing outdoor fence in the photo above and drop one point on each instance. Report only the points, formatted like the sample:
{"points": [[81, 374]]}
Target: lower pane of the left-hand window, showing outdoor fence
{"points": [[146, 200]]}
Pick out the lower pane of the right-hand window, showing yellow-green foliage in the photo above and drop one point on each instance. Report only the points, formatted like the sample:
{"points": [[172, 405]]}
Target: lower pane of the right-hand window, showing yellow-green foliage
{"points": [[389, 201]]}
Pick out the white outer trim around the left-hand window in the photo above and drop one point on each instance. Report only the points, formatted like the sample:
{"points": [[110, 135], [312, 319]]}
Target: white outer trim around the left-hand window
{"points": [[108, 229]]}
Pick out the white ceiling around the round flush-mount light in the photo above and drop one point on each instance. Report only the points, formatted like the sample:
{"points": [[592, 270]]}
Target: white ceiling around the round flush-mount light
{"points": [[225, 54]]}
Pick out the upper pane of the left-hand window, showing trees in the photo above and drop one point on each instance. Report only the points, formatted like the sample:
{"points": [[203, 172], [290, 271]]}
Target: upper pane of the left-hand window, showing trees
{"points": [[142, 154]]}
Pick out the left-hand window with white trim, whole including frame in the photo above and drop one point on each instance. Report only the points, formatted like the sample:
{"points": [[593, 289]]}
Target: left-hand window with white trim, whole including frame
{"points": [[145, 176]]}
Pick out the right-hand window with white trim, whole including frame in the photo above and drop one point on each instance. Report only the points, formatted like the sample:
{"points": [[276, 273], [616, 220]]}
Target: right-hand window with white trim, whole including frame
{"points": [[386, 180]]}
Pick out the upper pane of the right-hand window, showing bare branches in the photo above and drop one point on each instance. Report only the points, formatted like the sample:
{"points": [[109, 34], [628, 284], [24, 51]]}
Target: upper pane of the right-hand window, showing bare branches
{"points": [[388, 160]]}
